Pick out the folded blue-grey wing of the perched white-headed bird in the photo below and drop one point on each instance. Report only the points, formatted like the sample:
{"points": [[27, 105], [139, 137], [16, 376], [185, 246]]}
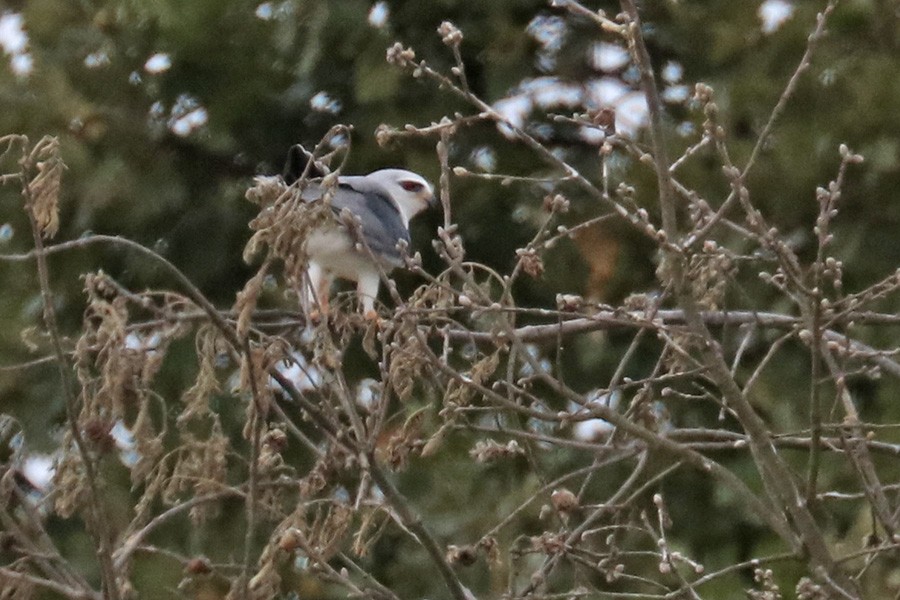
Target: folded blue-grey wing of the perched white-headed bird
{"points": [[382, 226]]}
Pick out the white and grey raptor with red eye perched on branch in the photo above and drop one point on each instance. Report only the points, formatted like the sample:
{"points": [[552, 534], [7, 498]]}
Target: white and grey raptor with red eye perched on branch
{"points": [[383, 203]]}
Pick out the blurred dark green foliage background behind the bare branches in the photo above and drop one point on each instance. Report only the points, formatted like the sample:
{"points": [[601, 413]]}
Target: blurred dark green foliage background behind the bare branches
{"points": [[166, 109]]}
